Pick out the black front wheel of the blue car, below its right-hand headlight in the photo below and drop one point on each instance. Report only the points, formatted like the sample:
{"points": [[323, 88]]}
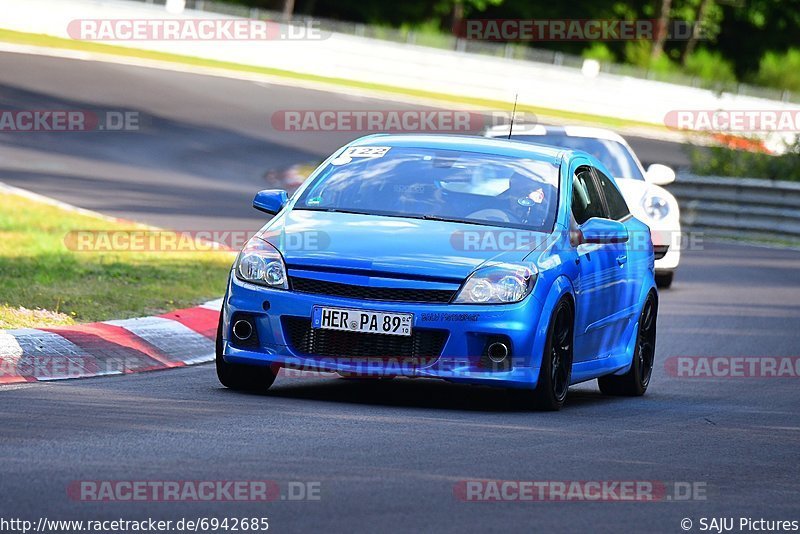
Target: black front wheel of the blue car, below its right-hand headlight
{"points": [[556, 369]]}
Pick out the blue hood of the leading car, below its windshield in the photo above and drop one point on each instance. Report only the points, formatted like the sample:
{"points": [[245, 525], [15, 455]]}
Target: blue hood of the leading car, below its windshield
{"points": [[408, 248]]}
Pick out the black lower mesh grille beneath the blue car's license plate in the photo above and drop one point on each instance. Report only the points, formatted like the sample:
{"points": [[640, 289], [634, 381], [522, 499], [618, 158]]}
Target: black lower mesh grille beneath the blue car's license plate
{"points": [[421, 345]]}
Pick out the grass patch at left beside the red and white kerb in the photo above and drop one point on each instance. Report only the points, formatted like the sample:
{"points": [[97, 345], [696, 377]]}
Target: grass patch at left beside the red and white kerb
{"points": [[45, 283]]}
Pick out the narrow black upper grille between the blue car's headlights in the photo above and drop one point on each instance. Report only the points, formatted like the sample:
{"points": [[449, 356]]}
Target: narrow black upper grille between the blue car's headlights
{"points": [[391, 294]]}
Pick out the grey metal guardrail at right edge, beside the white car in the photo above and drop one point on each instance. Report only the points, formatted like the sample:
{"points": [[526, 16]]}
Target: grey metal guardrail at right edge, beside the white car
{"points": [[739, 207]]}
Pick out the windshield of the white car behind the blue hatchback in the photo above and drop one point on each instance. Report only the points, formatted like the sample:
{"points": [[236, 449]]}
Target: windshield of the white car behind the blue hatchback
{"points": [[617, 158]]}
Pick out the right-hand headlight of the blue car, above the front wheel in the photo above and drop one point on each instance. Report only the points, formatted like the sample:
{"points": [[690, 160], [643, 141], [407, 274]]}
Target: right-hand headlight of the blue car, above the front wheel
{"points": [[503, 283]]}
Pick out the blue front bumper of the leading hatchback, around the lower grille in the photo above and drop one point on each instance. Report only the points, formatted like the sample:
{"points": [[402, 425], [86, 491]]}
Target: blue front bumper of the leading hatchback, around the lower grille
{"points": [[466, 331]]}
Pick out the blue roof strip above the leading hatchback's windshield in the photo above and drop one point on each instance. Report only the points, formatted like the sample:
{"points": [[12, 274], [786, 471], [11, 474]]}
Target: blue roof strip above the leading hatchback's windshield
{"points": [[467, 143]]}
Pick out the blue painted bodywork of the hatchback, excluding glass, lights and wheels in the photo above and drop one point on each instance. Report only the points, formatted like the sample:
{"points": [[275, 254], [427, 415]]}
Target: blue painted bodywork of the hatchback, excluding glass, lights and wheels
{"points": [[607, 283]]}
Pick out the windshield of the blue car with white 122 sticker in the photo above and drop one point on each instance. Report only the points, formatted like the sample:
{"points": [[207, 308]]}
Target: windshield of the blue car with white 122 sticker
{"points": [[438, 184]]}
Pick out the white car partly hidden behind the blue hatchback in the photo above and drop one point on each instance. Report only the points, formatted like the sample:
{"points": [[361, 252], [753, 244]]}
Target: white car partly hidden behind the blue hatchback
{"points": [[647, 200]]}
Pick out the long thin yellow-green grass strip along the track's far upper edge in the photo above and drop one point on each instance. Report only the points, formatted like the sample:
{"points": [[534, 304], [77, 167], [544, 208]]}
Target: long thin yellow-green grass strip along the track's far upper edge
{"points": [[10, 36]]}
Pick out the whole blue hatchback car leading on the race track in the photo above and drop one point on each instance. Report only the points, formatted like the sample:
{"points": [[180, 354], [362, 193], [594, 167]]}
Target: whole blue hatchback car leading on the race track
{"points": [[474, 260]]}
